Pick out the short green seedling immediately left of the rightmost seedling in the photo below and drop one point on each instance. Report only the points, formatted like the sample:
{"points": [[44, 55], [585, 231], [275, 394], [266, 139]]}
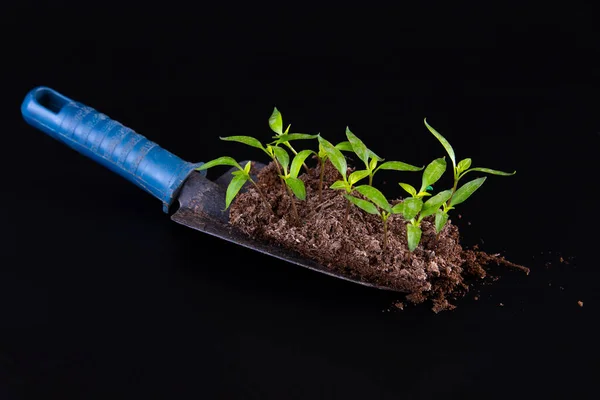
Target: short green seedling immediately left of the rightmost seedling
{"points": [[414, 210]]}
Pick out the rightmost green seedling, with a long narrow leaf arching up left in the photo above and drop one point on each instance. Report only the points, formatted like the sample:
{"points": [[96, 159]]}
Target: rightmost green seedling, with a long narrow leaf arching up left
{"points": [[458, 195]]}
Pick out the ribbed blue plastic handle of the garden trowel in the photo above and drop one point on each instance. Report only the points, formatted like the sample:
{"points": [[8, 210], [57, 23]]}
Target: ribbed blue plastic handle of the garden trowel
{"points": [[107, 142]]}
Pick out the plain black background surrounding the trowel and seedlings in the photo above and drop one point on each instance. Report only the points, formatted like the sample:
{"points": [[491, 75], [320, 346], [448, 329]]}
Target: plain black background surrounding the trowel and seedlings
{"points": [[101, 295]]}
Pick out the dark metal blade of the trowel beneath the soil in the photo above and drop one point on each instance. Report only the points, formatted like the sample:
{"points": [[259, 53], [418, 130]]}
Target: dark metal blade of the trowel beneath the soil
{"points": [[201, 207]]}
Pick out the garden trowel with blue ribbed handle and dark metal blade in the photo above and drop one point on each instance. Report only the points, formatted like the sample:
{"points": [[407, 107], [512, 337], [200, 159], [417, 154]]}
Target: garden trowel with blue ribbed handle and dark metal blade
{"points": [[152, 168]]}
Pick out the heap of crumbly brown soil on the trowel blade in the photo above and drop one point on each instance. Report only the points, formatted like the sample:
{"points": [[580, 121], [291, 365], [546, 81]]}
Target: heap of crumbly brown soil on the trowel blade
{"points": [[438, 269]]}
